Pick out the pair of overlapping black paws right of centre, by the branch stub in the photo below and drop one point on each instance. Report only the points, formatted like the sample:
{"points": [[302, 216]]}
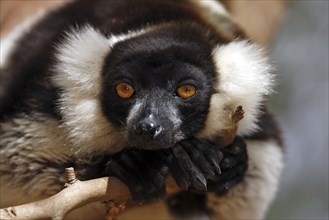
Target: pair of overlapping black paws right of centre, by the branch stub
{"points": [[203, 166]]}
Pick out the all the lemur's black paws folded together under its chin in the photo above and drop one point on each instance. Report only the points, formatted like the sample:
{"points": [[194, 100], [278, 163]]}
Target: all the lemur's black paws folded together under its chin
{"points": [[195, 164]]}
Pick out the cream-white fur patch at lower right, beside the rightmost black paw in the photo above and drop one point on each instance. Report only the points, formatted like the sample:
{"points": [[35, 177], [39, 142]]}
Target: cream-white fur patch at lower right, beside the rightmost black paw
{"points": [[252, 197]]}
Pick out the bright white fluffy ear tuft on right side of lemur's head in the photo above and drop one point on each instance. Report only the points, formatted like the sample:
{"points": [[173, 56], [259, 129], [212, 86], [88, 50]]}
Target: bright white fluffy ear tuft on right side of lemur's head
{"points": [[243, 69]]}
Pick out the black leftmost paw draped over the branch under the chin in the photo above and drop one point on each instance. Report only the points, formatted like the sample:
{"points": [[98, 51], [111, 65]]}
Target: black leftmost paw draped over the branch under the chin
{"points": [[142, 171]]}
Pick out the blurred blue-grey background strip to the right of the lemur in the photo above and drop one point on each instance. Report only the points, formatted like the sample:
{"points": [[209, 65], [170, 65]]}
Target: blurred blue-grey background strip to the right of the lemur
{"points": [[300, 50]]}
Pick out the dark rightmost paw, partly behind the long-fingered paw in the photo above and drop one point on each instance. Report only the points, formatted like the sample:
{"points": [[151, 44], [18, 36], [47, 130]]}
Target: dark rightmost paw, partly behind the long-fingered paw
{"points": [[233, 166]]}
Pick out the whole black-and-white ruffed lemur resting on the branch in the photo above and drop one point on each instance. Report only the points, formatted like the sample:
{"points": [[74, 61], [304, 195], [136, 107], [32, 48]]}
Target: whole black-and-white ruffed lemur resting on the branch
{"points": [[139, 90]]}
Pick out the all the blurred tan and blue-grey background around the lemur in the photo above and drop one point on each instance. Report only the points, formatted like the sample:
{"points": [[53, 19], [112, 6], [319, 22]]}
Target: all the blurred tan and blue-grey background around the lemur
{"points": [[296, 33]]}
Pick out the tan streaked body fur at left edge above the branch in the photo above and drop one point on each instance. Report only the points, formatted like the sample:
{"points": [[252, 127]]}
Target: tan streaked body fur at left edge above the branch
{"points": [[27, 146]]}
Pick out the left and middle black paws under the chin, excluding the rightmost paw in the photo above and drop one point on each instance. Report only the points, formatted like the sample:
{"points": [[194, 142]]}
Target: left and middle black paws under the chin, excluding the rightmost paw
{"points": [[191, 162]]}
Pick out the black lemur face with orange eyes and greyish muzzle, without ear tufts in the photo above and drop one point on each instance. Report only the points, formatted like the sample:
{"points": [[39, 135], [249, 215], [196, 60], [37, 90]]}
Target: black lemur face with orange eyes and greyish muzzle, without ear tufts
{"points": [[158, 89]]}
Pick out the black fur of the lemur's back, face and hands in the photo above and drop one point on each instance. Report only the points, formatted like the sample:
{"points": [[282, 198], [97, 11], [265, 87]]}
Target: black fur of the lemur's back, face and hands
{"points": [[177, 51]]}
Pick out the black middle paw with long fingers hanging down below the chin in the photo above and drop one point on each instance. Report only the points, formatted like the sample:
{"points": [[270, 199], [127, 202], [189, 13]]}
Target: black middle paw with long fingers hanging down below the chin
{"points": [[194, 162]]}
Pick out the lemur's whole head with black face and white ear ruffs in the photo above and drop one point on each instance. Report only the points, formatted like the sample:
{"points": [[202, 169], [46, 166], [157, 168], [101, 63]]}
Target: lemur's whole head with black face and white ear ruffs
{"points": [[152, 88]]}
